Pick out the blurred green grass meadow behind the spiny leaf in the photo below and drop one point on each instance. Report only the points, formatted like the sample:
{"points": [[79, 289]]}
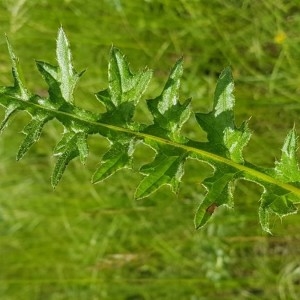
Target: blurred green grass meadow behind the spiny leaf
{"points": [[85, 241]]}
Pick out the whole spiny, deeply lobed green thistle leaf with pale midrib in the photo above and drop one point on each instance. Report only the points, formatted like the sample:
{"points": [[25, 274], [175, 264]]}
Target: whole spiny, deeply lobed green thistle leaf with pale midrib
{"points": [[222, 150]]}
